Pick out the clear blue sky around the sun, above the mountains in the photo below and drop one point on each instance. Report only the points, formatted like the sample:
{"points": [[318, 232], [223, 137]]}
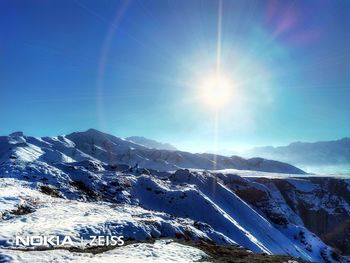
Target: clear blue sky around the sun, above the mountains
{"points": [[132, 67]]}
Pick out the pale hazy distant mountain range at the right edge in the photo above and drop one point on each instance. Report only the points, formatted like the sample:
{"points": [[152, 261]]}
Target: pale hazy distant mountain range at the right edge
{"points": [[304, 153]]}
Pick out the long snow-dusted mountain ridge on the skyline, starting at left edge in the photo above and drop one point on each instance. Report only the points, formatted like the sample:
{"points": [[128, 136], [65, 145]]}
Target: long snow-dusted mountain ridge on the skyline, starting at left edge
{"points": [[98, 146]]}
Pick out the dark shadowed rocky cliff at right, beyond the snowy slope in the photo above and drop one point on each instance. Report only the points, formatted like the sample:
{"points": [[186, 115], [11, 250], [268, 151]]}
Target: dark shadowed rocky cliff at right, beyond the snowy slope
{"points": [[322, 204]]}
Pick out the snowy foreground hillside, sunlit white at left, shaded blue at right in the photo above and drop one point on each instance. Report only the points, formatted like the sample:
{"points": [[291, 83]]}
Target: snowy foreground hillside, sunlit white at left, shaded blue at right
{"points": [[219, 215]]}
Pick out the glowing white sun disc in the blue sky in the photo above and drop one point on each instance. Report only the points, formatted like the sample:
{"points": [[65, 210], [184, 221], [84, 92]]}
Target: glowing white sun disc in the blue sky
{"points": [[215, 90]]}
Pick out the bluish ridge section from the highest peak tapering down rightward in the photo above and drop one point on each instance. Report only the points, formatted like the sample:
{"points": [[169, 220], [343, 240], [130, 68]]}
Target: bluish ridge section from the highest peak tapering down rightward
{"points": [[114, 150]]}
